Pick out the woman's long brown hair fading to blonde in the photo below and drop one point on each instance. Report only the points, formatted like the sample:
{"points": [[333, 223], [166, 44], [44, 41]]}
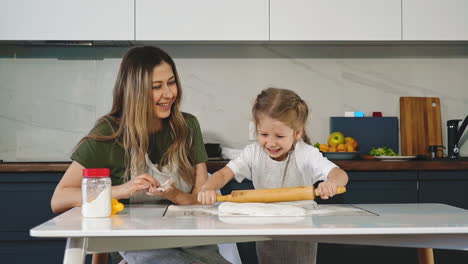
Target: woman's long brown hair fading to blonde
{"points": [[132, 111]]}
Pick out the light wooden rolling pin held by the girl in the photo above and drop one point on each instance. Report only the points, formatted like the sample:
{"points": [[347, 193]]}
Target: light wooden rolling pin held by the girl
{"points": [[273, 195]]}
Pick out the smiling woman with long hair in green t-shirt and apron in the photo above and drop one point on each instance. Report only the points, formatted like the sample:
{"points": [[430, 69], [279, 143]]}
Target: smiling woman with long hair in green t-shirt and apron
{"points": [[144, 140]]}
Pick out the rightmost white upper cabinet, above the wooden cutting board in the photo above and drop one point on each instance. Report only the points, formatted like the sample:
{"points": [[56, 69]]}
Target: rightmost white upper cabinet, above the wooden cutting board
{"points": [[435, 20]]}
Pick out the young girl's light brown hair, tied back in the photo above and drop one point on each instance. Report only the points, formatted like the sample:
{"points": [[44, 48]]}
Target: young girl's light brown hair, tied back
{"points": [[283, 105]]}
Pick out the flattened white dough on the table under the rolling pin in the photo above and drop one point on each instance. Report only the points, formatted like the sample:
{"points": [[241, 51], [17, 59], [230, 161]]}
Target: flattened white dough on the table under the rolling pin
{"points": [[260, 209]]}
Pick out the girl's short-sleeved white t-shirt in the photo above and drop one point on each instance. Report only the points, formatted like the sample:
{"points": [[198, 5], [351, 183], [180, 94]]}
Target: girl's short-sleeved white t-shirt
{"points": [[305, 165]]}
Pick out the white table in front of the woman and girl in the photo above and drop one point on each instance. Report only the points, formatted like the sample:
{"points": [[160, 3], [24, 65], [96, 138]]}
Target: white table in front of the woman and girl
{"points": [[144, 227]]}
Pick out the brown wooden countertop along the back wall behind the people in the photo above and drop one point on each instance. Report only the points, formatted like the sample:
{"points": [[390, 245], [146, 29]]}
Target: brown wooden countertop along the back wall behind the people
{"points": [[347, 165]]}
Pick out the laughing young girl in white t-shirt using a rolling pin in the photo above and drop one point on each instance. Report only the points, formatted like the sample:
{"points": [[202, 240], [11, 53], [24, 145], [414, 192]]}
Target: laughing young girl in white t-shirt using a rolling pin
{"points": [[282, 157]]}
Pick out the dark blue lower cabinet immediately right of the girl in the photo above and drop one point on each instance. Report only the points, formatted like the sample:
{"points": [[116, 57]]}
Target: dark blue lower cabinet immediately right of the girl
{"points": [[372, 187]]}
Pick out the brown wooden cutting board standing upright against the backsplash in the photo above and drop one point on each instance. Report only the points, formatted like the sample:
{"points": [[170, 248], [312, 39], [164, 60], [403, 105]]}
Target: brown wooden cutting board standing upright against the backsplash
{"points": [[420, 124]]}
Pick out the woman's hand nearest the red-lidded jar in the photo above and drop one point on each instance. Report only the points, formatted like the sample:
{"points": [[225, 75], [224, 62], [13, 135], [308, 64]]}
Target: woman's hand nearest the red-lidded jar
{"points": [[138, 184]]}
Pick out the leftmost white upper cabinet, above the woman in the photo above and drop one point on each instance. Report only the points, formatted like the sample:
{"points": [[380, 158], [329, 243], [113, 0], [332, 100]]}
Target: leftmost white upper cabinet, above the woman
{"points": [[67, 20]]}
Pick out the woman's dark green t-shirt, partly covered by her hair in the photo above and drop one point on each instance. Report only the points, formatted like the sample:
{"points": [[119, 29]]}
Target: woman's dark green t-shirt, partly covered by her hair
{"points": [[109, 154]]}
